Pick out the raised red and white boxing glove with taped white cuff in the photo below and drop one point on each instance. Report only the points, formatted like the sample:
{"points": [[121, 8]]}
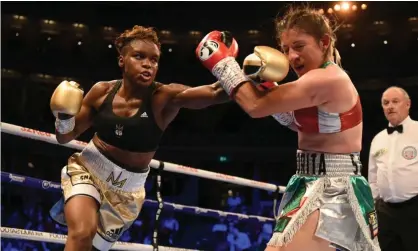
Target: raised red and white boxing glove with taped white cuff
{"points": [[217, 55]]}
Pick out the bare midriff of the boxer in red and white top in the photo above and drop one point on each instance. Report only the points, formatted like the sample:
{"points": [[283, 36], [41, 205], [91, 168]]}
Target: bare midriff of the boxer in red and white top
{"points": [[348, 141]]}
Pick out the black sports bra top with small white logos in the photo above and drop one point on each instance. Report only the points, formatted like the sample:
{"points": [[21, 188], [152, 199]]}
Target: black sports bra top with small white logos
{"points": [[139, 133]]}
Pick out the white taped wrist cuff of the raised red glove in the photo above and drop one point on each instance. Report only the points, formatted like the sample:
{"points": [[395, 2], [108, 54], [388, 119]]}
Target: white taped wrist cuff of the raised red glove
{"points": [[229, 74]]}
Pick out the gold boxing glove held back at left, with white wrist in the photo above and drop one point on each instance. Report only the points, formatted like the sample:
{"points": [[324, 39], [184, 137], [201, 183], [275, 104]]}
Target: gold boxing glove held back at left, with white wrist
{"points": [[65, 103]]}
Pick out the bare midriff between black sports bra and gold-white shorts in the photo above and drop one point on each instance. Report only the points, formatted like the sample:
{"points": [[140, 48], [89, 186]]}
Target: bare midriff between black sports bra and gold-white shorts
{"points": [[131, 161]]}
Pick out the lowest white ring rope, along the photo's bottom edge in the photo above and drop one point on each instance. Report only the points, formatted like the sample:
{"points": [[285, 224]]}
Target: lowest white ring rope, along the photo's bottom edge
{"points": [[30, 235]]}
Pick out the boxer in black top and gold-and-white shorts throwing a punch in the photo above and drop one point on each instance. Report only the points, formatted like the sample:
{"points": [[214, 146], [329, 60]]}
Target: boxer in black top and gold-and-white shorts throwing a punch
{"points": [[103, 186]]}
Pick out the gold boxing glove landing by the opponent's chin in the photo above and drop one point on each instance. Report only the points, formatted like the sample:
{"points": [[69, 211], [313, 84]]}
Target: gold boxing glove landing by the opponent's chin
{"points": [[266, 65]]}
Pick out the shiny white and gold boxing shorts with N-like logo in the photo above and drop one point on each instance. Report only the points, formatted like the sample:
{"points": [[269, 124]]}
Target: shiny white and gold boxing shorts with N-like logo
{"points": [[119, 193]]}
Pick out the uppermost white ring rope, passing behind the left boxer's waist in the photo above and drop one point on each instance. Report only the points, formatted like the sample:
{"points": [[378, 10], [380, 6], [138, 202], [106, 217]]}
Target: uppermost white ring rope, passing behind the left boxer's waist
{"points": [[171, 167]]}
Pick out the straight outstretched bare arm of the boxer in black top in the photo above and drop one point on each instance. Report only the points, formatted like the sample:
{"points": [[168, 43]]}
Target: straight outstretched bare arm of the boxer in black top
{"points": [[198, 97]]}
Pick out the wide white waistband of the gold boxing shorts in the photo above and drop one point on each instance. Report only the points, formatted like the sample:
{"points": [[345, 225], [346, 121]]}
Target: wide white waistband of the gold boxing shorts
{"points": [[108, 172]]}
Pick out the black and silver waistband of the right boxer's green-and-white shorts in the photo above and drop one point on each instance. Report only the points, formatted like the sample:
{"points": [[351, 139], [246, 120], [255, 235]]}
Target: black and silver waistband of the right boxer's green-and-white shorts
{"points": [[327, 164]]}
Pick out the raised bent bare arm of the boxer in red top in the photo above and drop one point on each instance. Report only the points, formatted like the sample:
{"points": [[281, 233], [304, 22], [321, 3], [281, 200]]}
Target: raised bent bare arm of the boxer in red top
{"points": [[312, 89]]}
